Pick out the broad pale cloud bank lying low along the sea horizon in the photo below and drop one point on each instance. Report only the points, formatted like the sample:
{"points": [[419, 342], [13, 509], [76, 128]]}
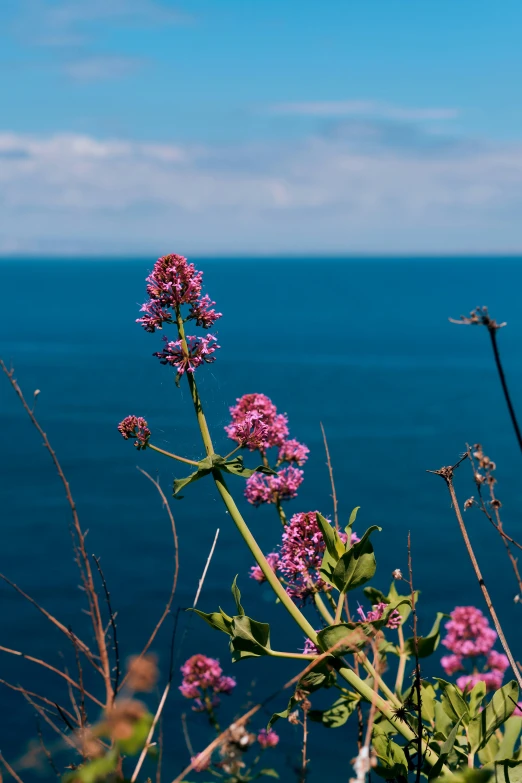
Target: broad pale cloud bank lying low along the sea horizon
{"points": [[70, 193]]}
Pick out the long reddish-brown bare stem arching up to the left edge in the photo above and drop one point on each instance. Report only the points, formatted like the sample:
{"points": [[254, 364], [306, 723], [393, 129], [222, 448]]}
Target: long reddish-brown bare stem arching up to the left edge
{"points": [[82, 559]]}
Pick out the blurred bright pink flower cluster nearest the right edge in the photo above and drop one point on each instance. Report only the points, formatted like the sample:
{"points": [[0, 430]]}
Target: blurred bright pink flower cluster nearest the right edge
{"points": [[470, 640]]}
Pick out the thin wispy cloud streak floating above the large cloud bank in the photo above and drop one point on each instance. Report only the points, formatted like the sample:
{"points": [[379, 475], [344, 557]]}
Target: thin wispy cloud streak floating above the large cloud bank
{"points": [[373, 109]]}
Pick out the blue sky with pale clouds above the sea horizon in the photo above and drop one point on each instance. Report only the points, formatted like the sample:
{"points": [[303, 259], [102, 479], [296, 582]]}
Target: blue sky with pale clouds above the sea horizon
{"points": [[266, 126]]}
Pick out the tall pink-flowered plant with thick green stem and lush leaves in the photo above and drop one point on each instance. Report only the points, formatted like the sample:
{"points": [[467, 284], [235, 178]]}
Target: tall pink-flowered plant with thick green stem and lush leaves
{"points": [[439, 727]]}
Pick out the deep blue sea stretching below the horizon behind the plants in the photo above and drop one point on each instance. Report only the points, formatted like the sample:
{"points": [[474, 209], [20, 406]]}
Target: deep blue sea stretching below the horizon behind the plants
{"points": [[362, 345]]}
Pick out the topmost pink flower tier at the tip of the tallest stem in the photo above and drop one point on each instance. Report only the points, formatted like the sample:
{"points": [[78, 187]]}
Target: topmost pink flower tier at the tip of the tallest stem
{"points": [[172, 283]]}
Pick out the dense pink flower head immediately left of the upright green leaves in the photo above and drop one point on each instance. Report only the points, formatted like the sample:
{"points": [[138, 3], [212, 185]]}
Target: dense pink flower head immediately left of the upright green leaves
{"points": [[301, 556]]}
